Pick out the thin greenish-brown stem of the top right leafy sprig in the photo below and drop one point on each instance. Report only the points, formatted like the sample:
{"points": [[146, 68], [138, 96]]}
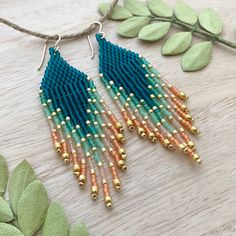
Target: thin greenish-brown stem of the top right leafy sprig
{"points": [[194, 29]]}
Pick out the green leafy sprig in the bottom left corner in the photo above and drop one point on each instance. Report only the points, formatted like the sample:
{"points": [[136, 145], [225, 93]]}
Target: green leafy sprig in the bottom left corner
{"points": [[28, 210]]}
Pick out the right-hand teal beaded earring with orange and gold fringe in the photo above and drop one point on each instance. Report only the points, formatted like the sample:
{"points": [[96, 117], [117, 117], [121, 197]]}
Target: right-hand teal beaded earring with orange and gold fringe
{"points": [[147, 101]]}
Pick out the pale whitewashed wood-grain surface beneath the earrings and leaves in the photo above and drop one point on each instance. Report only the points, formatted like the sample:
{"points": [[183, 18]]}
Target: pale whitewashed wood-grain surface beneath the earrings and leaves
{"points": [[164, 194]]}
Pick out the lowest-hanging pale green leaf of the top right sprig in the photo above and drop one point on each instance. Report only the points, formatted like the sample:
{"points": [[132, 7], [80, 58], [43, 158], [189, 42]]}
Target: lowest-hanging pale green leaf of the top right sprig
{"points": [[197, 57]]}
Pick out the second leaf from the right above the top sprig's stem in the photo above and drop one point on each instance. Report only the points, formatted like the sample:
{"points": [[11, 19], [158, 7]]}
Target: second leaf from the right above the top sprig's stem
{"points": [[185, 13]]}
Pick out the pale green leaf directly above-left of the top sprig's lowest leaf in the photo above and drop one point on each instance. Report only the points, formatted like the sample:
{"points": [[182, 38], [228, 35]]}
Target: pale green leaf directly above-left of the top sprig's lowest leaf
{"points": [[177, 43]]}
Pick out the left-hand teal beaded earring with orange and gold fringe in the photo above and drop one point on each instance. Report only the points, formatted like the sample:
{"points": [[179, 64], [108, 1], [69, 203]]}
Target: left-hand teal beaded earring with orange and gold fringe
{"points": [[84, 131]]}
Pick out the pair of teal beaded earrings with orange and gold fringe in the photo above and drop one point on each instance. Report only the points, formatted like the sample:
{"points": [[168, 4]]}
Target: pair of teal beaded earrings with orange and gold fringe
{"points": [[87, 134]]}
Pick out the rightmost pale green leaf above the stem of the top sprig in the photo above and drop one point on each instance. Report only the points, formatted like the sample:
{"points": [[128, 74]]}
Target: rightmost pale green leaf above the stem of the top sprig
{"points": [[211, 21]]}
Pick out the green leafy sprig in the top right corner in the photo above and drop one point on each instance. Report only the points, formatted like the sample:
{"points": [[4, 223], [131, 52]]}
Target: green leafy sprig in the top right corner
{"points": [[152, 20]]}
